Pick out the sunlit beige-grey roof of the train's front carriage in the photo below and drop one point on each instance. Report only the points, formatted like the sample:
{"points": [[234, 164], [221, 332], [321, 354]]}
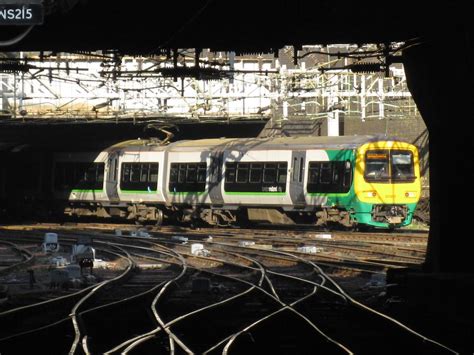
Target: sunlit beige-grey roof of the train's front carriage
{"points": [[307, 142]]}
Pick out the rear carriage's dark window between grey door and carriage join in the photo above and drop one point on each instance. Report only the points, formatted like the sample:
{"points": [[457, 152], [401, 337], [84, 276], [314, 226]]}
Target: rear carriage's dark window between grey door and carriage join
{"points": [[139, 176]]}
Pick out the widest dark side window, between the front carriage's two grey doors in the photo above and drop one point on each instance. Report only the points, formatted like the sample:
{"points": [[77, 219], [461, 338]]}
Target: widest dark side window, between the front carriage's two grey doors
{"points": [[255, 177]]}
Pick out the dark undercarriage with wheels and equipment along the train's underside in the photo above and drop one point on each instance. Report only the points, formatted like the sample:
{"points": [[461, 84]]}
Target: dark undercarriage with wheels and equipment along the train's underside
{"points": [[206, 215]]}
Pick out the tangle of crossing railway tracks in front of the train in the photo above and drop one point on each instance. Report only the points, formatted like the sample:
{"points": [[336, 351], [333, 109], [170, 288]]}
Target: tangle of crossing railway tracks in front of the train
{"points": [[239, 292]]}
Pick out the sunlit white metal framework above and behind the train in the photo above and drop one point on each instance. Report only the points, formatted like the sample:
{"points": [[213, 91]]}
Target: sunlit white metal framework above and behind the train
{"points": [[200, 85]]}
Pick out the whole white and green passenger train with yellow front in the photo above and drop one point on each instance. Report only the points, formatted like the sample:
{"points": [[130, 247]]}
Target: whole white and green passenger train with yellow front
{"points": [[352, 181]]}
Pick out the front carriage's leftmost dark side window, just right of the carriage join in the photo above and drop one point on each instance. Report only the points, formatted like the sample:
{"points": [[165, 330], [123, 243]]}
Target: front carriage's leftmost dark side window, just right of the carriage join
{"points": [[187, 177]]}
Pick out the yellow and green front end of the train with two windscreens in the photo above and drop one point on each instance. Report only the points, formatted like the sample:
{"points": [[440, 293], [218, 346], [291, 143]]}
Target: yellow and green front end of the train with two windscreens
{"points": [[387, 184]]}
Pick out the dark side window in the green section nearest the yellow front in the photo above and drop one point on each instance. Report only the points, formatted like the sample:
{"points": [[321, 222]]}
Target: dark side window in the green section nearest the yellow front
{"points": [[329, 177]]}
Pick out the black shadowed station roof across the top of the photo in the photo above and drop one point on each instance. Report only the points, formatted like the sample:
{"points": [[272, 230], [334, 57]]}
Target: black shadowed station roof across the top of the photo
{"points": [[146, 27]]}
